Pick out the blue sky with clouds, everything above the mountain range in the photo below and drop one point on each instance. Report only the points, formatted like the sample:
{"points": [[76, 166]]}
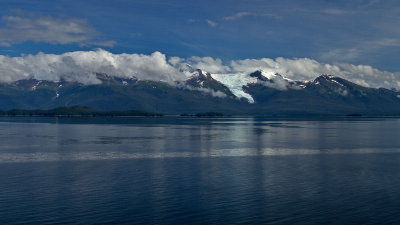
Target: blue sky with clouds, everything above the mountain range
{"points": [[358, 37]]}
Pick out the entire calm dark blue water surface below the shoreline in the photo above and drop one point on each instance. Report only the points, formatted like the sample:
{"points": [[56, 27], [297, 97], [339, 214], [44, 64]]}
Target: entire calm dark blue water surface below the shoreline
{"points": [[199, 171]]}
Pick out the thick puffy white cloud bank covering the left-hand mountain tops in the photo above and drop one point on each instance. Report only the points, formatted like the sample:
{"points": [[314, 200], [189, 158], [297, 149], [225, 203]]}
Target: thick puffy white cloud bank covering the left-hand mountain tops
{"points": [[81, 66]]}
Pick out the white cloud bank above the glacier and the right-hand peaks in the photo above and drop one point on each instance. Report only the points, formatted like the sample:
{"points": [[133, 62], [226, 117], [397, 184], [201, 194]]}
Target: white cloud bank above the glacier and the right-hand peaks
{"points": [[302, 69]]}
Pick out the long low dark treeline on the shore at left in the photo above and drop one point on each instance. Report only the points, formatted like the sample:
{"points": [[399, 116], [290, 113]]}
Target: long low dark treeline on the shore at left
{"points": [[74, 111]]}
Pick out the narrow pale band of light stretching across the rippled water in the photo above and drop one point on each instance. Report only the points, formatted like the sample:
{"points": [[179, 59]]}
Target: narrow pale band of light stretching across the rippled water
{"points": [[238, 152]]}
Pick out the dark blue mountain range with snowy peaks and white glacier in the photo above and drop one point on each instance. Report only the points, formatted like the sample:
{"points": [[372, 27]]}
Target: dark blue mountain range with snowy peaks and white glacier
{"points": [[255, 93]]}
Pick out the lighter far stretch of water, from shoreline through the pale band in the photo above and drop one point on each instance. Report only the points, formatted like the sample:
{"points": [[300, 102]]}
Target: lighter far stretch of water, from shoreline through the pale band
{"points": [[44, 140]]}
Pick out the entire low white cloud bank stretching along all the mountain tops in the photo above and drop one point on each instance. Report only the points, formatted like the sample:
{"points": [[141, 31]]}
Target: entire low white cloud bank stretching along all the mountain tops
{"points": [[81, 66]]}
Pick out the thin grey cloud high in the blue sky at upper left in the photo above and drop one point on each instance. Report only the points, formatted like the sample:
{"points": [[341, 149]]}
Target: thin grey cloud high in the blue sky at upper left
{"points": [[47, 29]]}
